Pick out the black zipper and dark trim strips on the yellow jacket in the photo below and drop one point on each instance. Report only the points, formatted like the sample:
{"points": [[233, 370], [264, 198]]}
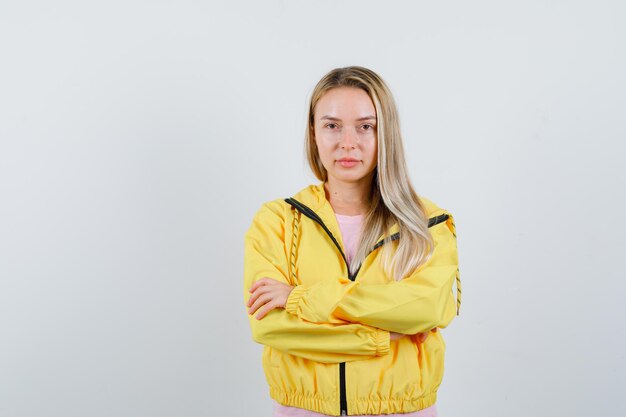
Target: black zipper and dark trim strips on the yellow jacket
{"points": [[343, 403]]}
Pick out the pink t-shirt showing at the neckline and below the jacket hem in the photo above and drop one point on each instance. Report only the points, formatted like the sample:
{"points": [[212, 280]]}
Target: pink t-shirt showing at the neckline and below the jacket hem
{"points": [[350, 227]]}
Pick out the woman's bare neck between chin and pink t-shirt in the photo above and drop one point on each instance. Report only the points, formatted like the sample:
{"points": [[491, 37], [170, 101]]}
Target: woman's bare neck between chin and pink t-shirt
{"points": [[348, 198]]}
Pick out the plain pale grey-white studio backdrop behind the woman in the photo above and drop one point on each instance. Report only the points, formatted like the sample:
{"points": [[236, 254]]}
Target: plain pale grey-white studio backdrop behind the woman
{"points": [[138, 139]]}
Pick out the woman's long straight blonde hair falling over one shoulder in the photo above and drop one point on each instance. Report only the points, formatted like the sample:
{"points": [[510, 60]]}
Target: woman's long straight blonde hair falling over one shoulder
{"points": [[392, 197]]}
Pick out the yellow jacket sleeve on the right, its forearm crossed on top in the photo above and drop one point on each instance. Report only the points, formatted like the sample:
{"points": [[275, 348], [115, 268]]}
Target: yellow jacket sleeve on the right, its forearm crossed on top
{"points": [[418, 303]]}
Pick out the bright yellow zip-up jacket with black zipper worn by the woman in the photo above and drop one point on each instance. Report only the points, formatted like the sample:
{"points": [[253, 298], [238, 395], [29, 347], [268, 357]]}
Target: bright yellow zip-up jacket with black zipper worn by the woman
{"points": [[329, 349]]}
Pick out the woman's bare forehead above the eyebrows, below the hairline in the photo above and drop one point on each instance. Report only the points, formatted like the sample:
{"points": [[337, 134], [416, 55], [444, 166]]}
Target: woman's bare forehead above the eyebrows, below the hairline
{"points": [[345, 103]]}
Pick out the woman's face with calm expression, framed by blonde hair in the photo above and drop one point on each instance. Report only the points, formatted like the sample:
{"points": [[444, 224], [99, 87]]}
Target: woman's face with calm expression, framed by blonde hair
{"points": [[345, 134]]}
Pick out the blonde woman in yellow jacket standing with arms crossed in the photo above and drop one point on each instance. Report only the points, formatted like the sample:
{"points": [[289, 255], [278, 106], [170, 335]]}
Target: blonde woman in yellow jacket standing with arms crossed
{"points": [[347, 282]]}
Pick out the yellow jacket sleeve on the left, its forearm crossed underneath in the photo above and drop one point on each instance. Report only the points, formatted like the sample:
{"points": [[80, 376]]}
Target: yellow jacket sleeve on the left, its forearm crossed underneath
{"points": [[265, 256]]}
